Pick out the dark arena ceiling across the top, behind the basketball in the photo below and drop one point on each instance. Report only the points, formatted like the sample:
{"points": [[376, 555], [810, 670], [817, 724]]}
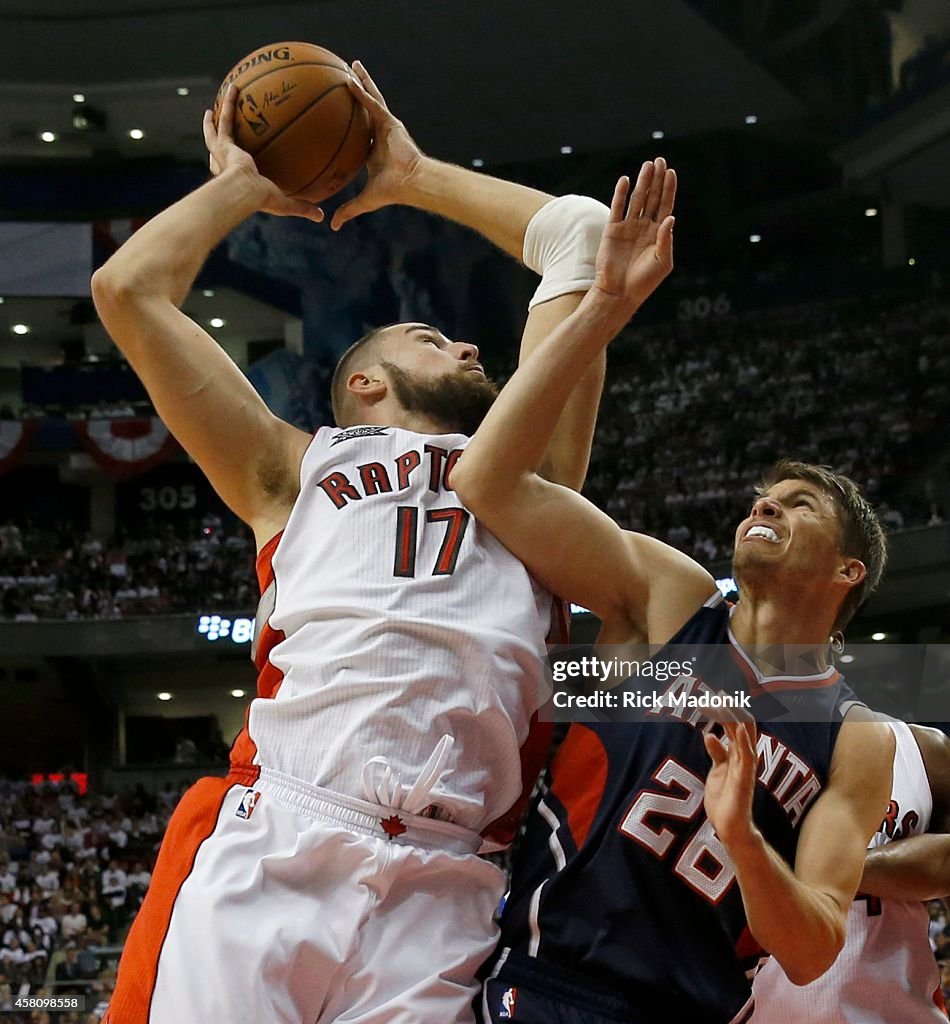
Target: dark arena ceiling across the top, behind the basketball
{"points": [[497, 80]]}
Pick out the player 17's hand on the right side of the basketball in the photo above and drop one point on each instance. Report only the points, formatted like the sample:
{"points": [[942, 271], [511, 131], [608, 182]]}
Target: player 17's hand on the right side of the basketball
{"points": [[393, 160]]}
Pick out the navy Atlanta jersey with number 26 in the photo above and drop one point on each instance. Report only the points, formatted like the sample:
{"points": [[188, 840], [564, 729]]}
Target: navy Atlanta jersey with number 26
{"points": [[621, 888]]}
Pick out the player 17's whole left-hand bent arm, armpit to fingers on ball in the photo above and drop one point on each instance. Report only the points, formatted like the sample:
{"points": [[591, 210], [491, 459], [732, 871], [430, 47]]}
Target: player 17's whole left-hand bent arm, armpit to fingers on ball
{"points": [[250, 457]]}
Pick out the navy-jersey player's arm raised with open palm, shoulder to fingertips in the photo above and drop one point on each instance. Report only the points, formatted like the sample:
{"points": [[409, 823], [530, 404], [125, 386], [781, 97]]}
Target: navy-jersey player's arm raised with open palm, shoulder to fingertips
{"points": [[573, 547]]}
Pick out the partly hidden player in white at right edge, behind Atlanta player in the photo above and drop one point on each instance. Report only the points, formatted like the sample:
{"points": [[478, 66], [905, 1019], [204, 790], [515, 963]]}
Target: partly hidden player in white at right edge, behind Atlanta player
{"points": [[887, 973]]}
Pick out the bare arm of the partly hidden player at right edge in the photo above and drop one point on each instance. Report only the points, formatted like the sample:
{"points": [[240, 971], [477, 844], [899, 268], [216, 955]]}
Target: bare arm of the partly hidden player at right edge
{"points": [[919, 868]]}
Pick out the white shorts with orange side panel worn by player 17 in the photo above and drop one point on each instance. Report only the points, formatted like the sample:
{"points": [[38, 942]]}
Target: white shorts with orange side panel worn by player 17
{"points": [[275, 902]]}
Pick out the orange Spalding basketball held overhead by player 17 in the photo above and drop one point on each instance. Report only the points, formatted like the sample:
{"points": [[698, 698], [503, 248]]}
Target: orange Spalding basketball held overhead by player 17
{"points": [[297, 118]]}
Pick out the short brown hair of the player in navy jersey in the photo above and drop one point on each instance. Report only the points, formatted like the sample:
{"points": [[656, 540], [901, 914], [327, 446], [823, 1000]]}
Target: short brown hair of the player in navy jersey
{"points": [[862, 535]]}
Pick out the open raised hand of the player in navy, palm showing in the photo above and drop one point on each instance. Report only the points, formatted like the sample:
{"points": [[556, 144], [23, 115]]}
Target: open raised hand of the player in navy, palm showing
{"points": [[636, 249]]}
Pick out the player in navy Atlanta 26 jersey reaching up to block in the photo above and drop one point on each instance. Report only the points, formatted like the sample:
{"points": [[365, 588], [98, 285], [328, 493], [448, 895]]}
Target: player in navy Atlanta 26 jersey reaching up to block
{"points": [[650, 880]]}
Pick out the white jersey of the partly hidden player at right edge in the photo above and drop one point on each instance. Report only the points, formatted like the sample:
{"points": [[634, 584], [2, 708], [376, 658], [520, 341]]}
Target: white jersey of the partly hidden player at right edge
{"points": [[887, 973]]}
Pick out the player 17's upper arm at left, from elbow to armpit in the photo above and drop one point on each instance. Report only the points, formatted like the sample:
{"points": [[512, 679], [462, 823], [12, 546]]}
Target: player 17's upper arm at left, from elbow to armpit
{"points": [[250, 457]]}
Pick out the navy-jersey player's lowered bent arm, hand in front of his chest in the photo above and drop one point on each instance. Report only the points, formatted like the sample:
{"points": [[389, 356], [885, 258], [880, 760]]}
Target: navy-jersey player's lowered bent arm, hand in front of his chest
{"points": [[799, 916]]}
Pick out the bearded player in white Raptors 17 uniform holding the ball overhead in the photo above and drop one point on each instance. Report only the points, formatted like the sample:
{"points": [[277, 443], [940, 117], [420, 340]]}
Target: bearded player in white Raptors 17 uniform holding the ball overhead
{"points": [[333, 874]]}
